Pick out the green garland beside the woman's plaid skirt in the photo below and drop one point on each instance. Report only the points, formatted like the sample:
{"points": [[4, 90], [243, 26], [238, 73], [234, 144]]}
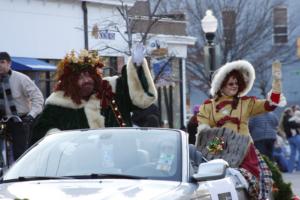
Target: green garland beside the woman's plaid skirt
{"points": [[281, 190]]}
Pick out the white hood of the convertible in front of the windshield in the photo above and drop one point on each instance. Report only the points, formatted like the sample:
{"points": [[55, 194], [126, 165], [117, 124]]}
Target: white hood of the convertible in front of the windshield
{"points": [[87, 189]]}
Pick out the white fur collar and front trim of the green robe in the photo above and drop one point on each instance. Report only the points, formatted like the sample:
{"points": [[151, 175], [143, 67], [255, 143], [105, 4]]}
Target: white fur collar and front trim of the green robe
{"points": [[91, 107]]}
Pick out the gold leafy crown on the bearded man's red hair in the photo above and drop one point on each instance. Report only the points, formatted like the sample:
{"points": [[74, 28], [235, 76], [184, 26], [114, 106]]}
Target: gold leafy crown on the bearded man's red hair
{"points": [[75, 63]]}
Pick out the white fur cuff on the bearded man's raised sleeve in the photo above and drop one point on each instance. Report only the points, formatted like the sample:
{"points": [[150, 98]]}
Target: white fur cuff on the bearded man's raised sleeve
{"points": [[136, 91]]}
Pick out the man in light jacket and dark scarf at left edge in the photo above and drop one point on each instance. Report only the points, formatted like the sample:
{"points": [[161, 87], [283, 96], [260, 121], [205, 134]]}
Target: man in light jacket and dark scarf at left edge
{"points": [[19, 96]]}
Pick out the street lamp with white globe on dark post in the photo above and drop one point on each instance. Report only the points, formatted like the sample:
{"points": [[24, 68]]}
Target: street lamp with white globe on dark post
{"points": [[209, 25]]}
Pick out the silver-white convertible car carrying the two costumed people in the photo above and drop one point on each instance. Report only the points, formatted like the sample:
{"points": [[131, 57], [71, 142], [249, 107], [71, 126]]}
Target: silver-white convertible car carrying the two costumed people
{"points": [[119, 163]]}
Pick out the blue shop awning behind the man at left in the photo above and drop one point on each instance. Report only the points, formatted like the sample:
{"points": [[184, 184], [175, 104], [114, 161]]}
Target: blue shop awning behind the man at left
{"points": [[31, 64]]}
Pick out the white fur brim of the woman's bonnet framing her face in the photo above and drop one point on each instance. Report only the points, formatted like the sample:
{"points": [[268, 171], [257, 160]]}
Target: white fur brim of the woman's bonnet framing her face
{"points": [[241, 65]]}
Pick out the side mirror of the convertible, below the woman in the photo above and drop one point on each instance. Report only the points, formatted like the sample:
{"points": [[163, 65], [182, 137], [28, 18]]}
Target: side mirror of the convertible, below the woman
{"points": [[211, 170]]}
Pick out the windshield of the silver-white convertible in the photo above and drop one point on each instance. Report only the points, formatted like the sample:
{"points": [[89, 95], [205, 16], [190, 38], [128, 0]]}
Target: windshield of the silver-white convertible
{"points": [[142, 153]]}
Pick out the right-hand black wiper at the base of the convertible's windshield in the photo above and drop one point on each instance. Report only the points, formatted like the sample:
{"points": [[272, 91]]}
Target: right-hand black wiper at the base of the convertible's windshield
{"points": [[108, 176]]}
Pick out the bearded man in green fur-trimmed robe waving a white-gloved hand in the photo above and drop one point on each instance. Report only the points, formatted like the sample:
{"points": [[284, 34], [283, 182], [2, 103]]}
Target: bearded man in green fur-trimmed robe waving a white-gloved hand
{"points": [[82, 98]]}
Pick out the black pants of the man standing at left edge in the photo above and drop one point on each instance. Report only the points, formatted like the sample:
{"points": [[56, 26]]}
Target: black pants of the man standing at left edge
{"points": [[19, 134]]}
